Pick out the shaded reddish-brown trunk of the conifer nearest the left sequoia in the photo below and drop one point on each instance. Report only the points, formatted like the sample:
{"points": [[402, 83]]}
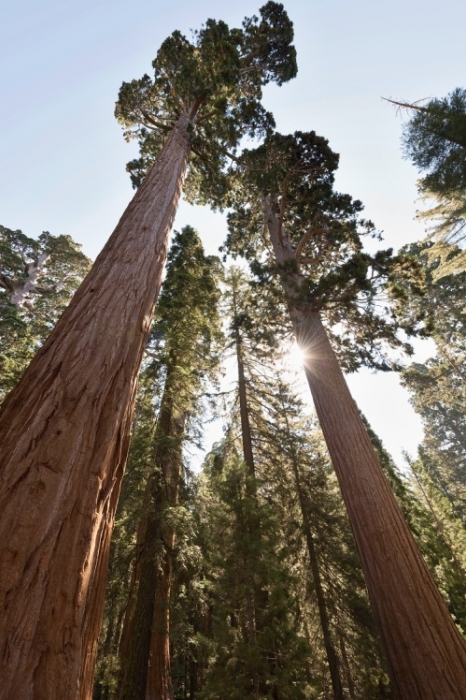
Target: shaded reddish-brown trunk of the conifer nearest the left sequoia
{"points": [[146, 668]]}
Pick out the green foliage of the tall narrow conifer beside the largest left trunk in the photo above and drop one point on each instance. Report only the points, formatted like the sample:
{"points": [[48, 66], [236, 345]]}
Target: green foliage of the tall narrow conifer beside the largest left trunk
{"points": [[180, 360]]}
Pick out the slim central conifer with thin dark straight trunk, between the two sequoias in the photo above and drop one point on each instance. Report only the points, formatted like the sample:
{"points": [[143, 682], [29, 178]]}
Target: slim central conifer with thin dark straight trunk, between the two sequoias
{"points": [[257, 647]]}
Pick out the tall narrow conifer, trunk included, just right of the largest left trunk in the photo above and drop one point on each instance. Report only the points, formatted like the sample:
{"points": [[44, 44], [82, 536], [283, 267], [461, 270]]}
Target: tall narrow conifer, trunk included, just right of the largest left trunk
{"points": [[180, 361]]}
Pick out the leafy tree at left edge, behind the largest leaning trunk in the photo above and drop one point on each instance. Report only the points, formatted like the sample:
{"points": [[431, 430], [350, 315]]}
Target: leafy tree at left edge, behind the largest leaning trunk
{"points": [[37, 280]]}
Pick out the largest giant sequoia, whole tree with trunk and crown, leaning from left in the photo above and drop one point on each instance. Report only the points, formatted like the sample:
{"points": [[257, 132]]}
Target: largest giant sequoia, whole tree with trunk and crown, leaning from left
{"points": [[65, 428]]}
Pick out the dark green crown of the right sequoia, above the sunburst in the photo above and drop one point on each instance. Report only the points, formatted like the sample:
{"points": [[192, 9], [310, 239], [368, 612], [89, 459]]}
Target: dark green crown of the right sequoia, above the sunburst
{"points": [[293, 177]]}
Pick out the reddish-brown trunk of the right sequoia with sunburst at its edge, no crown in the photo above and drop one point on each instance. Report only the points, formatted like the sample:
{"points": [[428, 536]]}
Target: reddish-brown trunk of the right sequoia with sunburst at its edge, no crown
{"points": [[425, 651]]}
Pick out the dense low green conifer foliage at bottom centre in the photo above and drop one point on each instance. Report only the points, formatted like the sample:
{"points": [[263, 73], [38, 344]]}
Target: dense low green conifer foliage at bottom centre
{"points": [[255, 648]]}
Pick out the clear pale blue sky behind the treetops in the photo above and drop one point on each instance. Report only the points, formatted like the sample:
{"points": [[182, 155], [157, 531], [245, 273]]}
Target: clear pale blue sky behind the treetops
{"points": [[63, 157]]}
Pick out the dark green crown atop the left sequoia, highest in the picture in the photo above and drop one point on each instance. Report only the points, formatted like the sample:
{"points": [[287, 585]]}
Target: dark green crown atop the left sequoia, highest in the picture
{"points": [[216, 80]]}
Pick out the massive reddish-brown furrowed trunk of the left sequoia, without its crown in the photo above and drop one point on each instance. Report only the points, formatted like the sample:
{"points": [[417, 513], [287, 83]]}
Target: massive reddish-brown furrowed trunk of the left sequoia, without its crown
{"points": [[64, 435]]}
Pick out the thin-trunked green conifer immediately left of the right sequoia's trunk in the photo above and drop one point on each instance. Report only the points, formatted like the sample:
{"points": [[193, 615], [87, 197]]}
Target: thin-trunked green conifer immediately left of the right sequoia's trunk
{"points": [[299, 466]]}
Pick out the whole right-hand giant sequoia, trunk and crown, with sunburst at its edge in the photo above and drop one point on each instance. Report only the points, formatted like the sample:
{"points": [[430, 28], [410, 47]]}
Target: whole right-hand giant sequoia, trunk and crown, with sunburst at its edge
{"points": [[314, 247]]}
